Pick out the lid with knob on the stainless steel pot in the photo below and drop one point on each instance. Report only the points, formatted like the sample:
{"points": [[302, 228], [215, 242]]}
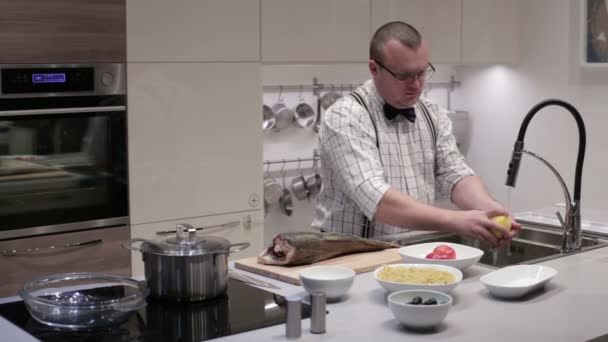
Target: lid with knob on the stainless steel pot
{"points": [[186, 242]]}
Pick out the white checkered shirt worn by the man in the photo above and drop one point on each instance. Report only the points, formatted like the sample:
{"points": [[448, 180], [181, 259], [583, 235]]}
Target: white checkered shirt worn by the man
{"points": [[356, 176]]}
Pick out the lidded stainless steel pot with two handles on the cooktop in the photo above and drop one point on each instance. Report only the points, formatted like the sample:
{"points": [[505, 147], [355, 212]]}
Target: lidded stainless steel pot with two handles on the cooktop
{"points": [[187, 267]]}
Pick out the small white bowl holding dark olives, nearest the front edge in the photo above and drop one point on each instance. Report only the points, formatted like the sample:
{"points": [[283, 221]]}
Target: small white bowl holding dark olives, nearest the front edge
{"points": [[419, 316]]}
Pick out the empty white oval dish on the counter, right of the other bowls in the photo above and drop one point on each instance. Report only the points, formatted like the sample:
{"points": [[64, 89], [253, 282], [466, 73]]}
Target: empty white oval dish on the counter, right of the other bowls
{"points": [[518, 280]]}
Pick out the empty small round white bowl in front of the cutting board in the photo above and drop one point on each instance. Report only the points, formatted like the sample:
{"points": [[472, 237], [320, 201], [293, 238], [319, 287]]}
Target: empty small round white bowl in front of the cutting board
{"points": [[334, 281]]}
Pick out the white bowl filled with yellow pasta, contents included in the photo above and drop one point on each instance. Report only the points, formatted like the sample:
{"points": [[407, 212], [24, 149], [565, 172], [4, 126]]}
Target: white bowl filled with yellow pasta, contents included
{"points": [[397, 277]]}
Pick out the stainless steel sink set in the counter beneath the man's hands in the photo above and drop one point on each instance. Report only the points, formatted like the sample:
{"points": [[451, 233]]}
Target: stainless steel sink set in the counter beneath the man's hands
{"points": [[533, 244]]}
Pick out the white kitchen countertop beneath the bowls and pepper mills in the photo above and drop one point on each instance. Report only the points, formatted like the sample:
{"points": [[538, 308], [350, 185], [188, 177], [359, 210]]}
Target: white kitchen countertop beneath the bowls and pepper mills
{"points": [[572, 307]]}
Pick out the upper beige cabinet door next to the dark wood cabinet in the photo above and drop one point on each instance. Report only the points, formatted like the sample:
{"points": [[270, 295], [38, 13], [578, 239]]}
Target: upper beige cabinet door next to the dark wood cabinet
{"points": [[193, 30]]}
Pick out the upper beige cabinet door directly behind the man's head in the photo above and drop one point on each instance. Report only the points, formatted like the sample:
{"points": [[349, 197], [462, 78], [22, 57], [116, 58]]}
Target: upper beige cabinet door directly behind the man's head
{"points": [[438, 21]]}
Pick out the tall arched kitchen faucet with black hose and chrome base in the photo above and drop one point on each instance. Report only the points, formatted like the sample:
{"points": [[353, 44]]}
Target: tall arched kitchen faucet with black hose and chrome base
{"points": [[572, 225]]}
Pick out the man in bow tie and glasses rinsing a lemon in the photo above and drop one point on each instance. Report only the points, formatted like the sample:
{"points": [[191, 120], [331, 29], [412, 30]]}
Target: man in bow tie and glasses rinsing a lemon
{"points": [[385, 153]]}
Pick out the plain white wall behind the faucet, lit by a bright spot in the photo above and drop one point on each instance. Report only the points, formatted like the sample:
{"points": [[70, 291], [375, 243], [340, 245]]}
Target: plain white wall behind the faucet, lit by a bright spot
{"points": [[498, 98]]}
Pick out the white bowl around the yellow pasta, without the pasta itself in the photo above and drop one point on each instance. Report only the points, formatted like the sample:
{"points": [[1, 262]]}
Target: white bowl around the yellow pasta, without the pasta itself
{"points": [[392, 286]]}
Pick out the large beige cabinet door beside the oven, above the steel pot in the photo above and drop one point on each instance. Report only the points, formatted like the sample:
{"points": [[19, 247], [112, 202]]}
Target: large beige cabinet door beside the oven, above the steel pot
{"points": [[195, 139]]}
